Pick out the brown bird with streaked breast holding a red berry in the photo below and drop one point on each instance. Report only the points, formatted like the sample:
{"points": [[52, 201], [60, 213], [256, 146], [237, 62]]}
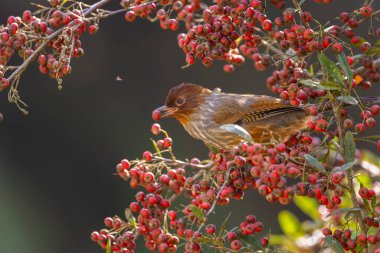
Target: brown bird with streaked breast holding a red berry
{"points": [[221, 120]]}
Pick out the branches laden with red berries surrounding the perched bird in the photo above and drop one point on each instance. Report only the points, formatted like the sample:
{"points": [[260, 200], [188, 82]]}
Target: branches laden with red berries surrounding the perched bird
{"points": [[232, 31]]}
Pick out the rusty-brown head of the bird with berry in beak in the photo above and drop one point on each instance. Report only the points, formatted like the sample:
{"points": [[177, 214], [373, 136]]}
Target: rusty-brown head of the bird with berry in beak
{"points": [[181, 101]]}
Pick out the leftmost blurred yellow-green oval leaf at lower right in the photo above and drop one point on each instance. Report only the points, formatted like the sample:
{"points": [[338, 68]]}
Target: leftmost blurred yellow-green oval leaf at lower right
{"points": [[290, 224]]}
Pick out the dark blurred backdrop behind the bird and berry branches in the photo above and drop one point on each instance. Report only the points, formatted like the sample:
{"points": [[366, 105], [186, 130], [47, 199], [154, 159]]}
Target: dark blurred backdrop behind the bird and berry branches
{"points": [[57, 163]]}
